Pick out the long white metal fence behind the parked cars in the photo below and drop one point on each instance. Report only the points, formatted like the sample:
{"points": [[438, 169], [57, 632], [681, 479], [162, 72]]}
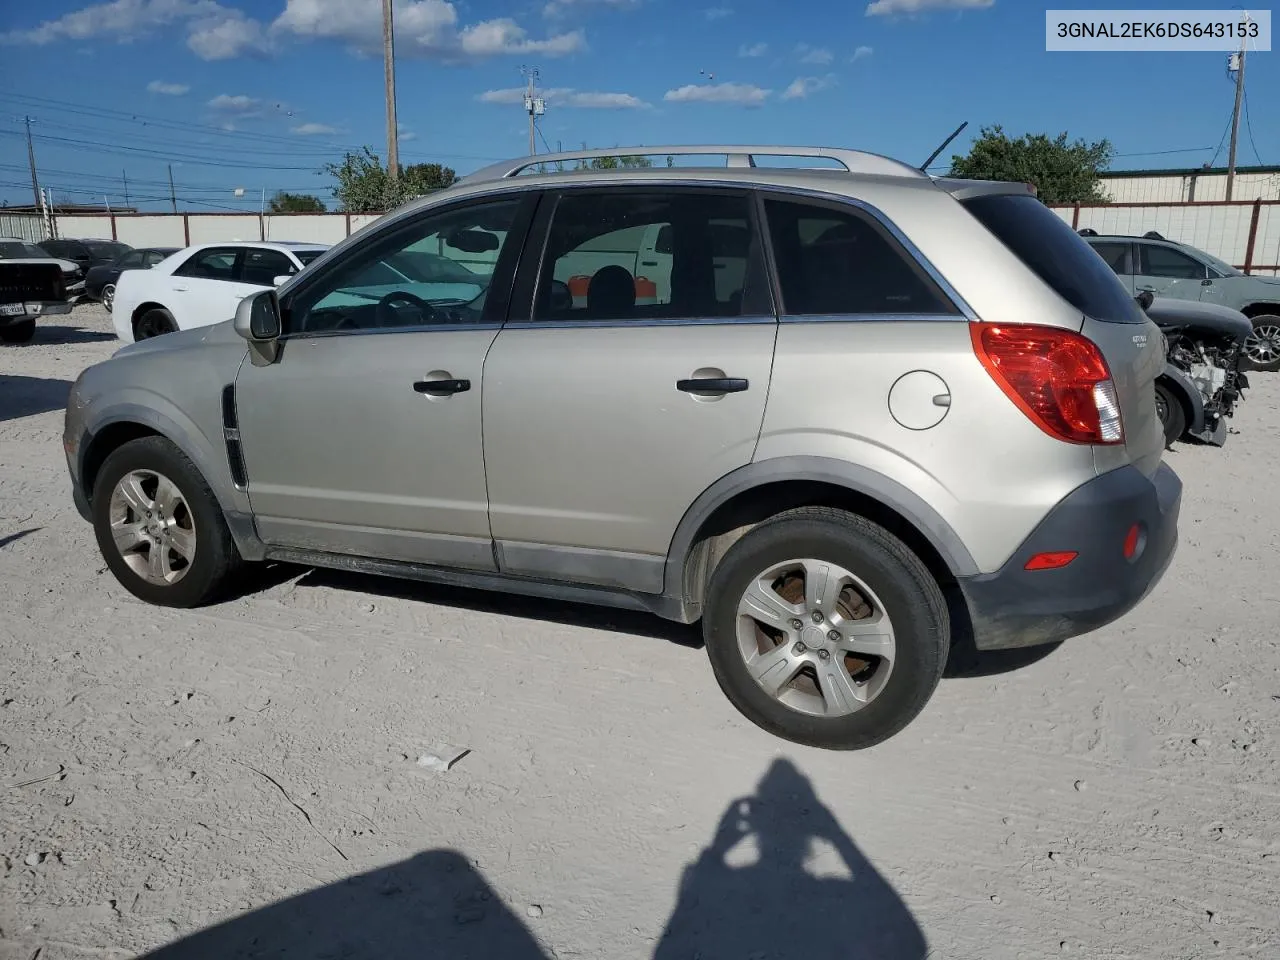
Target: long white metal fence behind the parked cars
{"points": [[1242, 234]]}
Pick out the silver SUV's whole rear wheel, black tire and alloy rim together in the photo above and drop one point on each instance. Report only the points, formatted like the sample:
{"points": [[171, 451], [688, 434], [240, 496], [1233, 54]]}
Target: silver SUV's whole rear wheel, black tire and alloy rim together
{"points": [[893, 583]]}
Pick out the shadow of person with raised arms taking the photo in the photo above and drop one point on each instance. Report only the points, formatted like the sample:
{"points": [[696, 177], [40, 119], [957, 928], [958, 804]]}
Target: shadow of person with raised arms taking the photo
{"points": [[755, 892]]}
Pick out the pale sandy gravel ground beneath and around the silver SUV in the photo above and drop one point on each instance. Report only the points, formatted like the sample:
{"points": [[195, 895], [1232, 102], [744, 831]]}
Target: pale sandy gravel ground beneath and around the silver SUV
{"points": [[244, 780]]}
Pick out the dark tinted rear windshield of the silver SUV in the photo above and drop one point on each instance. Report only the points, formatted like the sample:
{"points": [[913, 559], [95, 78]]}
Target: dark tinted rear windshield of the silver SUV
{"points": [[1060, 258]]}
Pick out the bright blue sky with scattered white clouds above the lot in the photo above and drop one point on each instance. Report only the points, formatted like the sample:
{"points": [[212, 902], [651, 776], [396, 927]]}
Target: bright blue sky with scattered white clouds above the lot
{"points": [[259, 94]]}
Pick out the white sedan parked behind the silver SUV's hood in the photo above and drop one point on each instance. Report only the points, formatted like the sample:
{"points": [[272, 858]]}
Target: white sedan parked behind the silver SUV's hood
{"points": [[203, 285]]}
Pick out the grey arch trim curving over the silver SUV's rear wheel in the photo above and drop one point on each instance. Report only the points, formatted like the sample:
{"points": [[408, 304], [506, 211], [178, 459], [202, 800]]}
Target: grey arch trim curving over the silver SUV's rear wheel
{"points": [[857, 479]]}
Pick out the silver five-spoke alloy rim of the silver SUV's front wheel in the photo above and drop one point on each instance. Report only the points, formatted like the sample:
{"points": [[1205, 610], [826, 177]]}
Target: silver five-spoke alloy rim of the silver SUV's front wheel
{"points": [[153, 527]]}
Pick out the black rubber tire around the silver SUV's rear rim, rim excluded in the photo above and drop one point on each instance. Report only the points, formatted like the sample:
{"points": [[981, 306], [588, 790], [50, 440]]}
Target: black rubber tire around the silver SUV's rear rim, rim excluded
{"points": [[921, 630]]}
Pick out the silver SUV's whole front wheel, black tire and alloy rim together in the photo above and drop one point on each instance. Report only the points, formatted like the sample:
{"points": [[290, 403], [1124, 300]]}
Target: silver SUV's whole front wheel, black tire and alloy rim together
{"points": [[196, 561]]}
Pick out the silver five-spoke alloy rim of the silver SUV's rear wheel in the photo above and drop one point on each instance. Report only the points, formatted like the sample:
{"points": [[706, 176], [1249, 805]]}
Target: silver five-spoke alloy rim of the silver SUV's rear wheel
{"points": [[816, 638]]}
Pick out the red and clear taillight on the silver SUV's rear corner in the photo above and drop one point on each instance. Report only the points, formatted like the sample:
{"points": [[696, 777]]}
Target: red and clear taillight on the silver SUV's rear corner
{"points": [[1058, 378]]}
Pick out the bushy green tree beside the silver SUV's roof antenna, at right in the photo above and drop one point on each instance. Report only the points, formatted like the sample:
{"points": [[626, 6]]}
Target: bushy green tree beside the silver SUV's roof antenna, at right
{"points": [[1063, 172]]}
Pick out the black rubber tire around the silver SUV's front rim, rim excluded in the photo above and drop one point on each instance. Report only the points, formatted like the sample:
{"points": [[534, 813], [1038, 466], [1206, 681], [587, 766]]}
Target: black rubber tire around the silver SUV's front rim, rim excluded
{"points": [[161, 456]]}
